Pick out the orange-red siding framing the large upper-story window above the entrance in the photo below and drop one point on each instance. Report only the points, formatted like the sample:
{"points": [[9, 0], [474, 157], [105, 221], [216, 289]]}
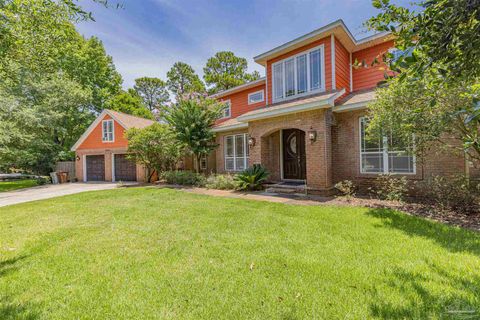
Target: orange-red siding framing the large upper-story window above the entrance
{"points": [[328, 63]]}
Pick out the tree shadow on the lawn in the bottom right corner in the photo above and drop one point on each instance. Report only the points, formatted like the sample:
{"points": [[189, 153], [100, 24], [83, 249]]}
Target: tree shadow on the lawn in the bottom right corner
{"points": [[439, 294]]}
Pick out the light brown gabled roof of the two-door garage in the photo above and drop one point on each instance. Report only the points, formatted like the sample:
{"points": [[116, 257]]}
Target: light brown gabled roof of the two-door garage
{"points": [[127, 121]]}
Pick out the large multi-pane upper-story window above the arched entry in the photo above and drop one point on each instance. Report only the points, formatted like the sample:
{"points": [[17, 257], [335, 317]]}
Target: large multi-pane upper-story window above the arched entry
{"points": [[301, 74]]}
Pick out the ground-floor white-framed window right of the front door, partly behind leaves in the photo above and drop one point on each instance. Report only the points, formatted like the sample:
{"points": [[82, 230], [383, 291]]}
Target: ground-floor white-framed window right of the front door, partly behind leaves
{"points": [[383, 154]]}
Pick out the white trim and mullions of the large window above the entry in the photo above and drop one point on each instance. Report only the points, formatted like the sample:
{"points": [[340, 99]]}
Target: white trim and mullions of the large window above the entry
{"points": [[294, 57]]}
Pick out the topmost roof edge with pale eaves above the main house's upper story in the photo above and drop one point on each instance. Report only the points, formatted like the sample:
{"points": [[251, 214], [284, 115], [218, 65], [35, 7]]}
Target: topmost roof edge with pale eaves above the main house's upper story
{"points": [[337, 28]]}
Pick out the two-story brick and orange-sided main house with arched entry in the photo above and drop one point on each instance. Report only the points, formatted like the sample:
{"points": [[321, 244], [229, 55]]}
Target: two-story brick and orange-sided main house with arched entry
{"points": [[305, 120]]}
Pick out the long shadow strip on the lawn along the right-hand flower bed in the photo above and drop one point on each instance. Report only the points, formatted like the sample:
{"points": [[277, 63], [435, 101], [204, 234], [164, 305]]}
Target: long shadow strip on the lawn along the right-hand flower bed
{"points": [[450, 238]]}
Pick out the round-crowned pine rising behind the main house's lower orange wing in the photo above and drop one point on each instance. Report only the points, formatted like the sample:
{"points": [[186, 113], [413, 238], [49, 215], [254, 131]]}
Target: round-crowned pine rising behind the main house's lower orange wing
{"points": [[225, 70]]}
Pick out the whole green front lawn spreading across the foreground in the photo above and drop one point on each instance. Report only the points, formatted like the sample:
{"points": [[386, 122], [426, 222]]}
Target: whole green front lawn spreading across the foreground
{"points": [[148, 253]]}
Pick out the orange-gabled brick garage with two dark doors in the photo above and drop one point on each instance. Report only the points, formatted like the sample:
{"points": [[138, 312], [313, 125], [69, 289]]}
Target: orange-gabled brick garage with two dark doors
{"points": [[101, 152]]}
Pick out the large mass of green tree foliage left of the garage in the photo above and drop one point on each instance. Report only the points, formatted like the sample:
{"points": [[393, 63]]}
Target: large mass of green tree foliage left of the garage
{"points": [[53, 80]]}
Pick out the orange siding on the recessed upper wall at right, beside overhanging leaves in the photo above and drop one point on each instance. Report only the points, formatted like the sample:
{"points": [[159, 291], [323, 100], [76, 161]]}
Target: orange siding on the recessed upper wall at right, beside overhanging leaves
{"points": [[365, 78]]}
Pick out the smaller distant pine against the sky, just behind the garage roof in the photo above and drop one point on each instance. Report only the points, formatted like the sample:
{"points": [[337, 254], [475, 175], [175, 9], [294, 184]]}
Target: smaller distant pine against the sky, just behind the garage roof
{"points": [[153, 92]]}
